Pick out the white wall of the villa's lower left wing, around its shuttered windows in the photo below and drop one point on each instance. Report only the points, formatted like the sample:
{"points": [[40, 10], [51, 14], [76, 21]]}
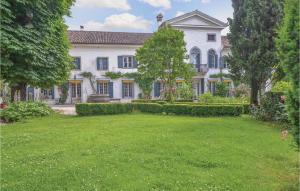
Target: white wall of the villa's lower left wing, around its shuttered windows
{"points": [[89, 54]]}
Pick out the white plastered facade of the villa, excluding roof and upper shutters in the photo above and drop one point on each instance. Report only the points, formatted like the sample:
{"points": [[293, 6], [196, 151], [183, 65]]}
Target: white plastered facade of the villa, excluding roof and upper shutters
{"points": [[196, 27]]}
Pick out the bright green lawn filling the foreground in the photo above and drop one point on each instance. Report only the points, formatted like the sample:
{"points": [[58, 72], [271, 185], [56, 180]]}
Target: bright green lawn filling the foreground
{"points": [[146, 152]]}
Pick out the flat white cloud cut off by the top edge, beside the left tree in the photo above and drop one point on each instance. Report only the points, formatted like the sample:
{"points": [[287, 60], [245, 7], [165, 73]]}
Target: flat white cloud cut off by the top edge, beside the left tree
{"points": [[114, 4]]}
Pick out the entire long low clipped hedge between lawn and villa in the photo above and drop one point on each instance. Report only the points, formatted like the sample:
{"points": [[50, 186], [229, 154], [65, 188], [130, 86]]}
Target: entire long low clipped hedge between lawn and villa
{"points": [[177, 109]]}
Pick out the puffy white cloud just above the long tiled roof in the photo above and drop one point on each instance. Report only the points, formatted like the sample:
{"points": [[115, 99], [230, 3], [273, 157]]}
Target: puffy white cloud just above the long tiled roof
{"points": [[122, 21]]}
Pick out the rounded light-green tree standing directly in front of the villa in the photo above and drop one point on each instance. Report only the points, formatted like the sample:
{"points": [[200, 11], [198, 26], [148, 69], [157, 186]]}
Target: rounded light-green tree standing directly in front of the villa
{"points": [[162, 57]]}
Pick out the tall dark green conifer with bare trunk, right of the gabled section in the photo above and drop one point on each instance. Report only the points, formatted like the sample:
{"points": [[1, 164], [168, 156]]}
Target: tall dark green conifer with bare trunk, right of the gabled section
{"points": [[253, 51]]}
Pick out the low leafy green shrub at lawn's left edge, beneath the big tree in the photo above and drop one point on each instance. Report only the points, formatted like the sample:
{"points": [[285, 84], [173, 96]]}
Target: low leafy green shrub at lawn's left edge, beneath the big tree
{"points": [[22, 110]]}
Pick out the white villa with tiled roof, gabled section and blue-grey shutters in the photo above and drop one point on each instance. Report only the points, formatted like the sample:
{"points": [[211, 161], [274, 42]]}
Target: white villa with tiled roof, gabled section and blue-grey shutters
{"points": [[99, 52]]}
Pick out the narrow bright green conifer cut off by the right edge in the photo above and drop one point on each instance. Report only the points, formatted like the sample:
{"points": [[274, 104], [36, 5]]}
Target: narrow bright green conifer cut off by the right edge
{"points": [[288, 50]]}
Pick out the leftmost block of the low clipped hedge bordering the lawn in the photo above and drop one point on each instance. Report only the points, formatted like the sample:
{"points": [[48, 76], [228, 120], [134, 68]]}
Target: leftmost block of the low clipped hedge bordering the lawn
{"points": [[103, 108]]}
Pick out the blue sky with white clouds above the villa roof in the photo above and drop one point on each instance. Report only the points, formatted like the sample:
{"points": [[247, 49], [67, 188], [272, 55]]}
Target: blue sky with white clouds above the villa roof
{"points": [[139, 15]]}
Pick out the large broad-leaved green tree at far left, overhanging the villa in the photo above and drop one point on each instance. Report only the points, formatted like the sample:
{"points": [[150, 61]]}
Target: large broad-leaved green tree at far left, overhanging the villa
{"points": [[34, 44]]}
